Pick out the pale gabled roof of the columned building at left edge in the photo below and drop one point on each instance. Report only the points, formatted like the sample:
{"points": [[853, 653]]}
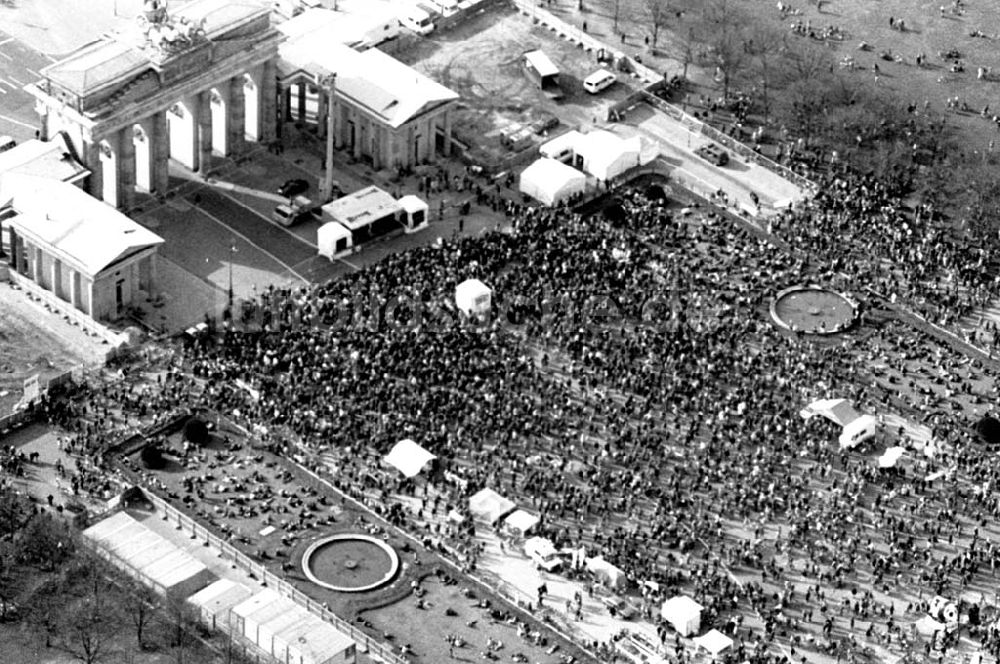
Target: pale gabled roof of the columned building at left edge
{"points": [[76, 227]]}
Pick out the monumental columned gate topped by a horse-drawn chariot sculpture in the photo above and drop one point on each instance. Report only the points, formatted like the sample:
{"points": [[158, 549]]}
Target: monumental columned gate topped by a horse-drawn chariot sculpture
{"points": [[197, 81]]}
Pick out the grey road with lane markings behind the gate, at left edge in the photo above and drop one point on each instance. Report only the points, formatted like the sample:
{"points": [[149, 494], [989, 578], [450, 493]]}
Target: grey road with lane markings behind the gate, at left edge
{"points": [[19, 65]]}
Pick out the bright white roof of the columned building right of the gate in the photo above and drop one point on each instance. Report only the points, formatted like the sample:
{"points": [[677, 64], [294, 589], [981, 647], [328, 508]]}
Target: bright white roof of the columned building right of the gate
{"points": [[374, 81]]}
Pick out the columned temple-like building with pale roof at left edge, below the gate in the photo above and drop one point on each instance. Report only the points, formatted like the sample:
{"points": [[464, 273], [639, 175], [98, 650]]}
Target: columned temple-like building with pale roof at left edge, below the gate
{"points": [[90, 256]]}
